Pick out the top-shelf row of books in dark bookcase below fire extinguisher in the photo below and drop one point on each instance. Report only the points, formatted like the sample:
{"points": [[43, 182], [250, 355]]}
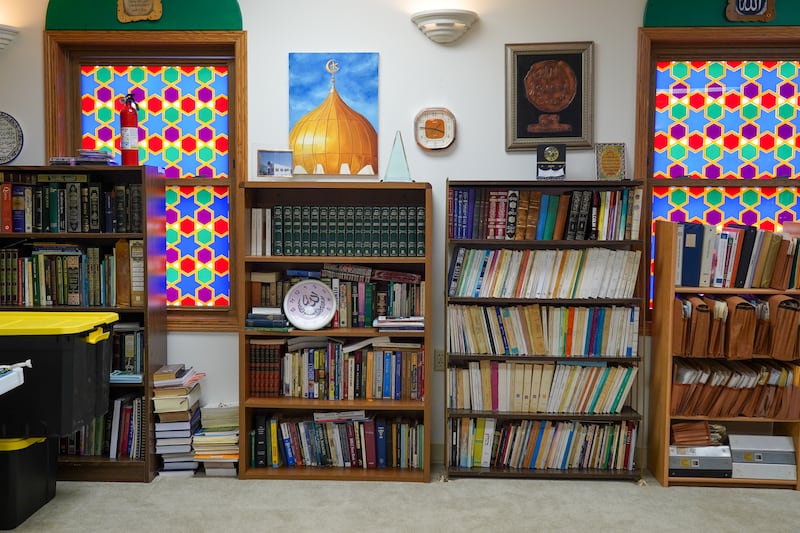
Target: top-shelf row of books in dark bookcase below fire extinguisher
{"points": [[66, 203]]}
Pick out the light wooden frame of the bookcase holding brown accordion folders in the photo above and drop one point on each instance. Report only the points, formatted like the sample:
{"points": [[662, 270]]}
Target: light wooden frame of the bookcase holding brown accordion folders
{"points": [[662, 373]]}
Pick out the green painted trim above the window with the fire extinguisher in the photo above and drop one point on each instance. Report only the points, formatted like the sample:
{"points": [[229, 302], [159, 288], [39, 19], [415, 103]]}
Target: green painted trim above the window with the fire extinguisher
{"points": [[176, 15]]}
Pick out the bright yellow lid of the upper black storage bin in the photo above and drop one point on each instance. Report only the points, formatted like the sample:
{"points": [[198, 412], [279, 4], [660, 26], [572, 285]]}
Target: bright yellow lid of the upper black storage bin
{"points": [[55, 323]]}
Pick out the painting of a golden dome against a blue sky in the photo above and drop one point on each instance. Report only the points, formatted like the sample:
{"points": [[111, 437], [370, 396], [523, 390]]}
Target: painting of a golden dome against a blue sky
{"points": [[333, 112]]}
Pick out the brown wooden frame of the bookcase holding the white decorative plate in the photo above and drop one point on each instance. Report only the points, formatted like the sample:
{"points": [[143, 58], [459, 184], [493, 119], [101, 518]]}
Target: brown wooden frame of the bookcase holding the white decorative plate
{"points": [[258, 195]]}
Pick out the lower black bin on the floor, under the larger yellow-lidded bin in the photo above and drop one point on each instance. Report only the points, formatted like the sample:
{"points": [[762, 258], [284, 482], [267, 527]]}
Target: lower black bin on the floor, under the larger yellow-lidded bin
{"points": [[27, 477]]}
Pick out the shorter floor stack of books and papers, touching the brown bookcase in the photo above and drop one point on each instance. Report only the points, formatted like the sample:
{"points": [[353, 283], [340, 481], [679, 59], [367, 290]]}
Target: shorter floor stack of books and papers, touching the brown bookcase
{"points": [[216, 443]]}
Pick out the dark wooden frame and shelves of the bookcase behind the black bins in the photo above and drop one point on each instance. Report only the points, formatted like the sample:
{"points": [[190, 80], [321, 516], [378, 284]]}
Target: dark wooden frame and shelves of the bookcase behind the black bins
{"points": [[150, 314]]}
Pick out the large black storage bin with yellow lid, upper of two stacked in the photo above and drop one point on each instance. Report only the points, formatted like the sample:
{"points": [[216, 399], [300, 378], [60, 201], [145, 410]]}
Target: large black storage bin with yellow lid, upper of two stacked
{"points": [[68, 384]]}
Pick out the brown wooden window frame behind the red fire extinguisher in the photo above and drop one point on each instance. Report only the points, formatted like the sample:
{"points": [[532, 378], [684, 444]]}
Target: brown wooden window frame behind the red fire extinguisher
{"points": [[63, 52]]}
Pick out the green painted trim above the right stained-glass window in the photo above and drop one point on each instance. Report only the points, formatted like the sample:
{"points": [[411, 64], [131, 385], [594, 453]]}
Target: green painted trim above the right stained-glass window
{"points": [[678, 13]]}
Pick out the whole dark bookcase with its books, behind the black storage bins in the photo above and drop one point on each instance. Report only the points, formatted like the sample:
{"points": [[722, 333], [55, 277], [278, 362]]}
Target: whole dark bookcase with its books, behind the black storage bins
{"points": [[66, 232]]}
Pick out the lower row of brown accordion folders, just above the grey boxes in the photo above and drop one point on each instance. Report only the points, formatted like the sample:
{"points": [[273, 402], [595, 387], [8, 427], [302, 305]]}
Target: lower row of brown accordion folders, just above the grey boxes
{"points": [[753, 388]]}
